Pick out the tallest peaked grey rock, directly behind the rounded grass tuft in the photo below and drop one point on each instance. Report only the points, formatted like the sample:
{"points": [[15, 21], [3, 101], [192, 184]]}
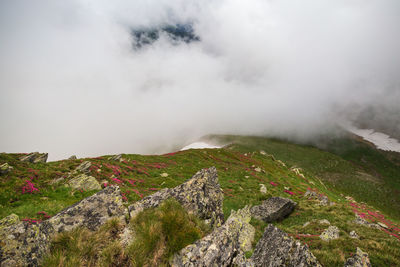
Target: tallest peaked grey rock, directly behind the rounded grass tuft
{"points": [[200, 195]]}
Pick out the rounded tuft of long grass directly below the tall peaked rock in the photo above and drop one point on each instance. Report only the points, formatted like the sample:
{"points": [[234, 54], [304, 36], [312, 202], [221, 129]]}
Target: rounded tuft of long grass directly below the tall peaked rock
{"points": [[161, 232]]}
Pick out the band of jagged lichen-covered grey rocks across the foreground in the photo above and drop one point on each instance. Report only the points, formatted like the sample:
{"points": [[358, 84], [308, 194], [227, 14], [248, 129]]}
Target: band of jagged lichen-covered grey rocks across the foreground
{"points": [[25, 243]]}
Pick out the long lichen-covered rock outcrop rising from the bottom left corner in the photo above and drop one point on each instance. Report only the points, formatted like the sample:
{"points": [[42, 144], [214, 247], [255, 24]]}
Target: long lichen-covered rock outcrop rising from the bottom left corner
{"points": [[24, 244]]}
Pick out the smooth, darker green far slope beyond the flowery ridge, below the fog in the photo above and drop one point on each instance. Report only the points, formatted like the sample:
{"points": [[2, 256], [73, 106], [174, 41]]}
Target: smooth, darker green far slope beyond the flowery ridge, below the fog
{"points": [[352, 167]]}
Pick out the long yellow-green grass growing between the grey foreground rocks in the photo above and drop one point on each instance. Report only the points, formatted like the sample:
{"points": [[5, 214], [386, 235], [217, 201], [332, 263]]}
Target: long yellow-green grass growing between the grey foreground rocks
{"points": [[157, 234]]}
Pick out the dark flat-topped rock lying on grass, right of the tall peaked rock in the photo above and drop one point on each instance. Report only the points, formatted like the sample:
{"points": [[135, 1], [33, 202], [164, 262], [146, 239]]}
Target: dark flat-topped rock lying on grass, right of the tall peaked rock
{"points": [[273, 209]]}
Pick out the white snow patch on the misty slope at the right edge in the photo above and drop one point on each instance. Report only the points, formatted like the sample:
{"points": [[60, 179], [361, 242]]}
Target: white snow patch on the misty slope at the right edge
{"points": [[380, 140]]}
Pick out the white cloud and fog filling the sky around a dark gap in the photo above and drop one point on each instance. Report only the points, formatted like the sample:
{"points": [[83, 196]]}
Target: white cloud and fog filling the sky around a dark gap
{"points": [[71, 83]]}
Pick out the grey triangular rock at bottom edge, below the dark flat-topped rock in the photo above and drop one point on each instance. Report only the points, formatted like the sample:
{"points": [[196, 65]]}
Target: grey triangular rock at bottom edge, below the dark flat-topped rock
{"points": [[276, 248]]}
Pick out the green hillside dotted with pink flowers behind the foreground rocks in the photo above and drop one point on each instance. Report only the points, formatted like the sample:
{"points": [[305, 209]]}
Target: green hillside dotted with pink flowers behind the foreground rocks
{"points": [[353, 176]]}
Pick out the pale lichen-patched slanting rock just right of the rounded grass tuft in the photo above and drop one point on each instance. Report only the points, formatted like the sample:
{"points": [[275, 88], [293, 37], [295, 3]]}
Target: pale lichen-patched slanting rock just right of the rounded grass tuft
{"points": [[221, 246]]}
